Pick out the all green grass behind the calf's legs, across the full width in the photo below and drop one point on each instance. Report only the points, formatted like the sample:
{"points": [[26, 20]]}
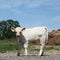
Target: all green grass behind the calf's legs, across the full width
{"points": [[11, 45]]}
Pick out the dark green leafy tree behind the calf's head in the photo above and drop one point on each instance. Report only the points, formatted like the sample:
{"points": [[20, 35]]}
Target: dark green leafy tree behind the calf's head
{"points": [[5, 28]]}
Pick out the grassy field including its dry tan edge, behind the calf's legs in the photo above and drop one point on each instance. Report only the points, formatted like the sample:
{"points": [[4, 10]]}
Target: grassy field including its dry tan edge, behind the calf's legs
{"points": [[10, 45]]}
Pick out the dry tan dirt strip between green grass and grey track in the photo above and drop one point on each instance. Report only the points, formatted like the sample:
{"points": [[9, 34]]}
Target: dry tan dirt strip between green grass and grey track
{"points": [[51, 52]]}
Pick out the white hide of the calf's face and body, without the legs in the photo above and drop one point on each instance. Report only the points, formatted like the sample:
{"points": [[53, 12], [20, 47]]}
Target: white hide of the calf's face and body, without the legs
{"points": [[33, 33]]}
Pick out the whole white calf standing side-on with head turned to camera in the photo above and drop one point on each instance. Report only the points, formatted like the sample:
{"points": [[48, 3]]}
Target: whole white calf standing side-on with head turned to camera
{"points": [[24, 35]]}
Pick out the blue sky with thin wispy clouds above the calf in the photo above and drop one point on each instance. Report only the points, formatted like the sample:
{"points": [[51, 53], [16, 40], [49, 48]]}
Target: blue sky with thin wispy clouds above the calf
{"points": [[32, 13]]}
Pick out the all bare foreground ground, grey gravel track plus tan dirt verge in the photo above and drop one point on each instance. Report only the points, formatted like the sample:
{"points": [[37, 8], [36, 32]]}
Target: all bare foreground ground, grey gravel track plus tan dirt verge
{"points": [[50, 55]]}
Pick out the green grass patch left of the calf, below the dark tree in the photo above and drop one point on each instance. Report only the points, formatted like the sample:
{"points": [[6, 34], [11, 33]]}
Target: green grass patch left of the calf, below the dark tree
{"points": [[8, 45]]}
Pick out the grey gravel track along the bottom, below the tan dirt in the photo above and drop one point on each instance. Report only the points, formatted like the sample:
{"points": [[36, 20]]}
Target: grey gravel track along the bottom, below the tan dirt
{"points": [[46, 57]]}
